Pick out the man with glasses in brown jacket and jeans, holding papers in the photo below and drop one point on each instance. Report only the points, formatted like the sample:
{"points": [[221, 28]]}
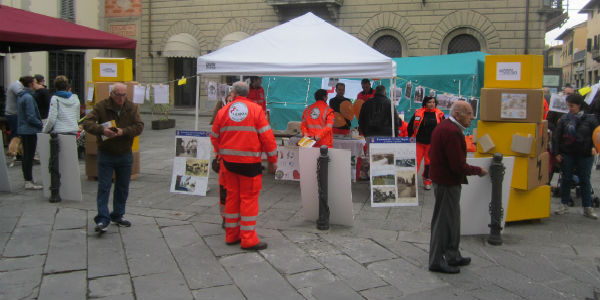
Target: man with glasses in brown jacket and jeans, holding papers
{"points": [[115, 122]]}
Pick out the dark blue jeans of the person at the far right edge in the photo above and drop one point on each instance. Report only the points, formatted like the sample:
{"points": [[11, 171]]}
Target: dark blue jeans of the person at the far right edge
{"points": [[582, 167]]}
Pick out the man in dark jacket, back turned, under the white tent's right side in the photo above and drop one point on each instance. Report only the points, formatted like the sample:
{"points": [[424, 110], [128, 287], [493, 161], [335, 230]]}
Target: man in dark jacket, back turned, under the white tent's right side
{"points": [[375, 117]]}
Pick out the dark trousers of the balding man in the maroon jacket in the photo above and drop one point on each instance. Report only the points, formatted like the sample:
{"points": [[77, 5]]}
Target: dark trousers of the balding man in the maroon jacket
{"points": [[445, 225]]}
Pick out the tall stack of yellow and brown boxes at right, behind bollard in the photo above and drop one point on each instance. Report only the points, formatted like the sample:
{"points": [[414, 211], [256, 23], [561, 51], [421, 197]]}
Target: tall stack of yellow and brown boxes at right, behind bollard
{"points": [[511, 123]]}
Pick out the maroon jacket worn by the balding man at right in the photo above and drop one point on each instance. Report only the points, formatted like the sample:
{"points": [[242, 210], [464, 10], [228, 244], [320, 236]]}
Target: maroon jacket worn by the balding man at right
{"points": [[448, 155]]}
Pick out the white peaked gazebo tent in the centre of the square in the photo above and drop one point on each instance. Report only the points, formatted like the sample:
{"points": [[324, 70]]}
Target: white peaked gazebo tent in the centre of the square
{"points": [[306, 46]]}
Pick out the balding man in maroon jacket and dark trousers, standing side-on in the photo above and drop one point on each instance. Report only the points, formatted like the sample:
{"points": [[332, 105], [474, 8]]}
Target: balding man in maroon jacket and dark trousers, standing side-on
{"points": [[448, 170]]}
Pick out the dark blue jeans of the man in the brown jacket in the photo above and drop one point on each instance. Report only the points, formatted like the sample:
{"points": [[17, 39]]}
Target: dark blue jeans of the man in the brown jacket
{"points": [[121, 165]]}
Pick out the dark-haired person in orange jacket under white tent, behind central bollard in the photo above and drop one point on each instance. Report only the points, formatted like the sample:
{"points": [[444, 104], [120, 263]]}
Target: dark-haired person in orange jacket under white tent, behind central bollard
{"points": [[317, 121]]}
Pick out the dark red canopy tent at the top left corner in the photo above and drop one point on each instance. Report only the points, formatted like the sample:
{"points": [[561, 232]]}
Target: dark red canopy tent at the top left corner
{"points": [[24, 31]]}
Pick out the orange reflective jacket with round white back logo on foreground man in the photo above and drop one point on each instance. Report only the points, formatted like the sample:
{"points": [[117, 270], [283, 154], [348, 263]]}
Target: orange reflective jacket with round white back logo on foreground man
{"points": [[241, 133]]}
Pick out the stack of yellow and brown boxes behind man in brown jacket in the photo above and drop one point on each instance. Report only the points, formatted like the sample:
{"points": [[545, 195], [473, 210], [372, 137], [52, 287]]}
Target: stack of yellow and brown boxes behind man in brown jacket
{"points": [[105, 72]]}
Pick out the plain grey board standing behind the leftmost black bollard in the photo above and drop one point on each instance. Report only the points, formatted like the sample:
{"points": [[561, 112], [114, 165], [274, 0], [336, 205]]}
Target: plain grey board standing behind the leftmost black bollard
{"points": [[68, 166]]}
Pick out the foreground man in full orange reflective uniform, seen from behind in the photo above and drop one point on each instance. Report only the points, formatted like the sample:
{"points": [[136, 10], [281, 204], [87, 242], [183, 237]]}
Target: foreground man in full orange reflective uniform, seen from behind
{"points": [[239, 135]]}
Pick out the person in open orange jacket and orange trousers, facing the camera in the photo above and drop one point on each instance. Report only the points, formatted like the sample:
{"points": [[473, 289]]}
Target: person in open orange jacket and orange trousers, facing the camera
{"points": [[421, 126]]}
